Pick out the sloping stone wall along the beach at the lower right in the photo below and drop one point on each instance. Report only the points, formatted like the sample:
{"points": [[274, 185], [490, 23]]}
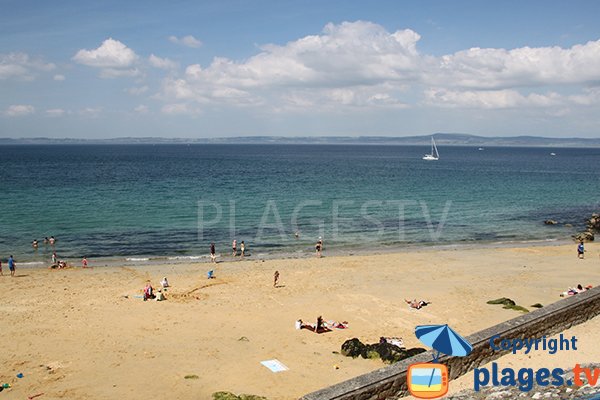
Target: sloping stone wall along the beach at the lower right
{"points": [[390, 382]]}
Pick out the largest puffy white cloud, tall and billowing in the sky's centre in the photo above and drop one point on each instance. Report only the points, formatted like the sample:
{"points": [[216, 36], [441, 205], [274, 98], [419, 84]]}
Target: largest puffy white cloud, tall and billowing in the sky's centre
{"points": [[345, 59]]}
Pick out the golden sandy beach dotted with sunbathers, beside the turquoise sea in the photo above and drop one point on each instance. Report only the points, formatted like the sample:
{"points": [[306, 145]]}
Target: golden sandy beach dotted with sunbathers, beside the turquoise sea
{"points": [[87, 334]]}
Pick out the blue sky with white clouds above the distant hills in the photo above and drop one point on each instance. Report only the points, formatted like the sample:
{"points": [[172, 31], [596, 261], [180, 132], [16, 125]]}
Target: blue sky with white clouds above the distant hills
{"points": [[225, 68]]}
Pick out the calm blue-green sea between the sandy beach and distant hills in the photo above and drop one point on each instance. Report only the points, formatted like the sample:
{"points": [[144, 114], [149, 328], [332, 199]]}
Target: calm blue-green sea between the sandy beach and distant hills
{"points": [[143, 203]]}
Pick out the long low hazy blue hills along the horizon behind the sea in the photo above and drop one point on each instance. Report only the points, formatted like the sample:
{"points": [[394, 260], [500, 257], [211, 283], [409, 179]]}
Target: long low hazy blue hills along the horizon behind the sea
{"points": [[445, 139]]}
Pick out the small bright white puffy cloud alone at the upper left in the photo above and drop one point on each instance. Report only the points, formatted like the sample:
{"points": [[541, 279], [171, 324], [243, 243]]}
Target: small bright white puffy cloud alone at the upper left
{"points": [[111, 54]]}
